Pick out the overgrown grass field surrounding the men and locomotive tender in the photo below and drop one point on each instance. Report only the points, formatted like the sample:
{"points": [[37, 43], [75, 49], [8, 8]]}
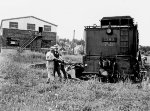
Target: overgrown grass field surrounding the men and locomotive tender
{"points": [[24, 89]]}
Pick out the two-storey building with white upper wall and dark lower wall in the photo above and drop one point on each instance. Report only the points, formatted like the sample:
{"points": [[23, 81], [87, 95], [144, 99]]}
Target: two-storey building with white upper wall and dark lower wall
{"points": [[27, 32]]}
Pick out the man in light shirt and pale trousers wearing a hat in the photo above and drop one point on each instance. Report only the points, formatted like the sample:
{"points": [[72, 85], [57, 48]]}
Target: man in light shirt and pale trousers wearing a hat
{"points": [[50, 64]]}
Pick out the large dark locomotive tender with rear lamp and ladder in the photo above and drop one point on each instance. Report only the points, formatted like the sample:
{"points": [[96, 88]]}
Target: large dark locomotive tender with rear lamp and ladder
{"points": [[111, 49]]}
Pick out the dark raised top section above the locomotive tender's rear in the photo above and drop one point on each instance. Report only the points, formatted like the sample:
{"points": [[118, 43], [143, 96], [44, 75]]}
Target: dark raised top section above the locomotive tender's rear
{"points": [[117, 21]]}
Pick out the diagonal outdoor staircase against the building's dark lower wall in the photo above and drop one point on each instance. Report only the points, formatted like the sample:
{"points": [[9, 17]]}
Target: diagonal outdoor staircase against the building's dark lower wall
{"points": [[28, 42]]}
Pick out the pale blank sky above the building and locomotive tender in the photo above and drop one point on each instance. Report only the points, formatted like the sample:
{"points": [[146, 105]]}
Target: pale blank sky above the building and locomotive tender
{"points": [[72, 15]]}
